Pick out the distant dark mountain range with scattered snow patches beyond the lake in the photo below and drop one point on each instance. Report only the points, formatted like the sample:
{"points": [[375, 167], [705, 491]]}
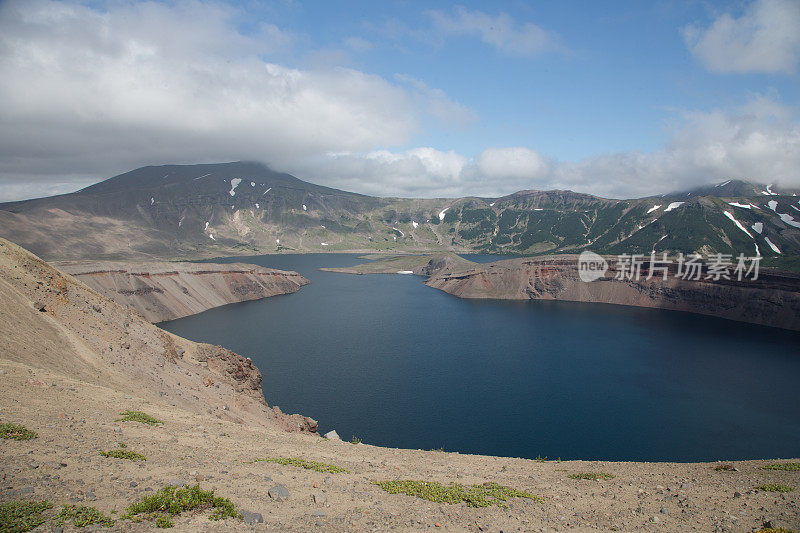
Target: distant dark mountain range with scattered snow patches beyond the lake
{"points": [[180, 211]]}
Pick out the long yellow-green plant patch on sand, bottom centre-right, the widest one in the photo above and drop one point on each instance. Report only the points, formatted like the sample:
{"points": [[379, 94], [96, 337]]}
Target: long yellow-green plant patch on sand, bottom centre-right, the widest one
{"points": [[474, 495]]}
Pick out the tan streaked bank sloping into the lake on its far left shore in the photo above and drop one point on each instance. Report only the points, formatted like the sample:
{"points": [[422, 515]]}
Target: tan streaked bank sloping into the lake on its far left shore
{"points": [[165, 291]]}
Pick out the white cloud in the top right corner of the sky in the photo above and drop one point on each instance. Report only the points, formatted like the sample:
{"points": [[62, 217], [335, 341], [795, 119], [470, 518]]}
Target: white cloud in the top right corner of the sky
{"points": [[765, 38]]}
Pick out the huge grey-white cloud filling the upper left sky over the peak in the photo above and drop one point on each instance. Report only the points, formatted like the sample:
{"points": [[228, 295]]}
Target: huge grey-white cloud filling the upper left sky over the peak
{"points": [[96, 91]]}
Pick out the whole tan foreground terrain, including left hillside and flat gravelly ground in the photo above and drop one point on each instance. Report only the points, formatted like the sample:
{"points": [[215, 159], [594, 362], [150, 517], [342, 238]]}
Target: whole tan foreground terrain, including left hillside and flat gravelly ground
{"points": [[58, 377]]}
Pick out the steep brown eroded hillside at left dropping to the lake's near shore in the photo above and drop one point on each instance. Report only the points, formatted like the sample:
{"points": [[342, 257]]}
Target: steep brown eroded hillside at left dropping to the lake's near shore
{"points": [[53, 321]]}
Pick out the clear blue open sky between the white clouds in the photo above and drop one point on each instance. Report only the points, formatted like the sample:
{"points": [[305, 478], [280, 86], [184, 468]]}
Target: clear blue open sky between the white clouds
{"points": [[613, 81]]}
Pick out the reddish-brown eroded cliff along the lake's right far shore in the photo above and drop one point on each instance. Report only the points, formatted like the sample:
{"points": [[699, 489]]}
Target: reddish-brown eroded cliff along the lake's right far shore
{"points": [[772, 300]]}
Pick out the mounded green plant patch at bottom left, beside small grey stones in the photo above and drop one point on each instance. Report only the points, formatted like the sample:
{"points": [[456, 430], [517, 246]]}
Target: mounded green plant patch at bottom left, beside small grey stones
{"points": [[172, 501]]}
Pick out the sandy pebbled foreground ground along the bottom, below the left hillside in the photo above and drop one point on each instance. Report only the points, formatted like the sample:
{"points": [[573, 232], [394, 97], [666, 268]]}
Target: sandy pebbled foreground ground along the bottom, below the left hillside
{"points": [[76, 420]]}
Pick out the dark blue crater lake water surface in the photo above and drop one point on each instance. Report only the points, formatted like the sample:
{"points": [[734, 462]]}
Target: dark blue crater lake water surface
{"points": [[396, 363]]}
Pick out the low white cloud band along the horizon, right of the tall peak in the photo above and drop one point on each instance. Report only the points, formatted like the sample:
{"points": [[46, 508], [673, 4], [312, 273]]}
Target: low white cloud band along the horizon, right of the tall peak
{"points": [[759, 142]]}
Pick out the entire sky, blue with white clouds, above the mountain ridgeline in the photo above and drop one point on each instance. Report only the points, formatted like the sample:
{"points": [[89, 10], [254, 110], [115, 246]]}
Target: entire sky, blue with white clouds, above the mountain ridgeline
{"points": [[404, 98]]}
